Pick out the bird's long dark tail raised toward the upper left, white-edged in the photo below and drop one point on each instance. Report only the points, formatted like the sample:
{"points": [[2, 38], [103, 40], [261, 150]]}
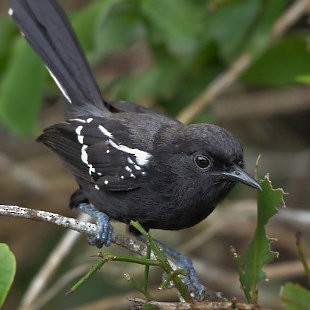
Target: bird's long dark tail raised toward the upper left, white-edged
{"points": [[47, 28]]}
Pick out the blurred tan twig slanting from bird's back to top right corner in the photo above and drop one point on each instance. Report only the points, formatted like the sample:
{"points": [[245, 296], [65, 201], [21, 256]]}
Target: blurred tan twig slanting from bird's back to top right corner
{"points": [[226, 79]]}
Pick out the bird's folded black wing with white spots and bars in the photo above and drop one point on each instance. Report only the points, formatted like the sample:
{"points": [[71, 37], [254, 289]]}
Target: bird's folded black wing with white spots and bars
{"points": [[96, 155]]}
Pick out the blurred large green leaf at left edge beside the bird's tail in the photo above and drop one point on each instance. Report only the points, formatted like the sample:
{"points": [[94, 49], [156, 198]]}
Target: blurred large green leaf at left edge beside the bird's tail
{"points": [[22, 90]]}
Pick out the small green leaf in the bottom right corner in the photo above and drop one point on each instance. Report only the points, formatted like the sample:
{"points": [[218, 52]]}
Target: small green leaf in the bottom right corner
{"points": [[295, 297]]}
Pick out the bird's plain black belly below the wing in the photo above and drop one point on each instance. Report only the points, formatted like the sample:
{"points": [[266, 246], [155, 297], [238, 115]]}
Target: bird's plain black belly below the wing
{"points": [[161, 213]]}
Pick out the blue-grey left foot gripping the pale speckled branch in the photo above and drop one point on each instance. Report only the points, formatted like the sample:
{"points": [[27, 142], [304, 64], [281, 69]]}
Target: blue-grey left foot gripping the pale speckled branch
{"points": [[105, 228]]}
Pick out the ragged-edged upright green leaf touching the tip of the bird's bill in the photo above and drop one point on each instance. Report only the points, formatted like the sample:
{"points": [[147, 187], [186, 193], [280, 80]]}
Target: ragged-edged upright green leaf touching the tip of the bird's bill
{"points": [[250, 265]]}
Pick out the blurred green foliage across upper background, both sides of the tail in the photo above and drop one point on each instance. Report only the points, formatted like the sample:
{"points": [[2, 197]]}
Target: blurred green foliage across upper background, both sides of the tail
{"points": [[190, 42]]}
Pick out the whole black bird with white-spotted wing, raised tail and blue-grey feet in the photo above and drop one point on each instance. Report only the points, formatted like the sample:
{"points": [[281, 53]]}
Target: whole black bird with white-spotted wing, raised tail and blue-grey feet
{"points": [[130, 162]]}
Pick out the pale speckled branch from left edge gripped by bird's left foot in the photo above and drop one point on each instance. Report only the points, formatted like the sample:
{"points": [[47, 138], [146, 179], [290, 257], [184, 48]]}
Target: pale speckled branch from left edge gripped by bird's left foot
{"points": [[71, 223]]}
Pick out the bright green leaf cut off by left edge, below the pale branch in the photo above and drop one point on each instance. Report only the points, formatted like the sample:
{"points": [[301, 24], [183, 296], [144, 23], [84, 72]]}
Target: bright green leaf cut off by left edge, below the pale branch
{"points": [[7, 271]]}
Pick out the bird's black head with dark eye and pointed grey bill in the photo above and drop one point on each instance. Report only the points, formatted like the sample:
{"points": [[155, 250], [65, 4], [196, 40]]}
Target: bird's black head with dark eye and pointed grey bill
{"points": [[207, 157]]}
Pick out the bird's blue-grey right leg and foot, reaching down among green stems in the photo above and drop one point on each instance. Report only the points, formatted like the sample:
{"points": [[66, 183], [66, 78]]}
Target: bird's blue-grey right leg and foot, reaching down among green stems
{"points": [[183, 262]]}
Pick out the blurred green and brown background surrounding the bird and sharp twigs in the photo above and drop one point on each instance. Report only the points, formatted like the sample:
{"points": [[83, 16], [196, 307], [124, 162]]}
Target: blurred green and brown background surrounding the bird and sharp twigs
{"points": [[163, 54]]}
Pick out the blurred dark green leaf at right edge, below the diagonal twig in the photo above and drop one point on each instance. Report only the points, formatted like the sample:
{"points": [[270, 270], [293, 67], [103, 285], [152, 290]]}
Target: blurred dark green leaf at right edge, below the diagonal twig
{"points": [[273, 68]]}
